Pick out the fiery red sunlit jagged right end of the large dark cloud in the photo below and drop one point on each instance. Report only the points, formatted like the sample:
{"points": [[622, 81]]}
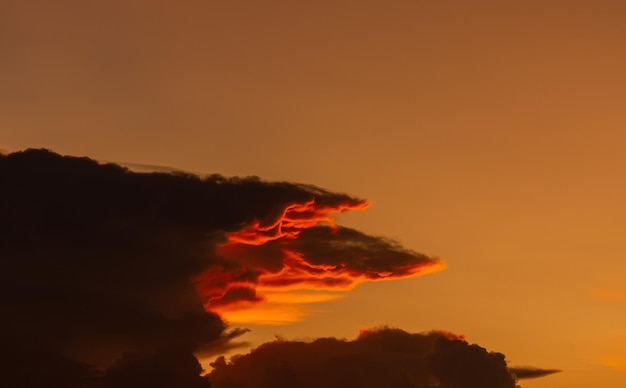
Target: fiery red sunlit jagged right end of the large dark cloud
{"points": [[300, 249]]}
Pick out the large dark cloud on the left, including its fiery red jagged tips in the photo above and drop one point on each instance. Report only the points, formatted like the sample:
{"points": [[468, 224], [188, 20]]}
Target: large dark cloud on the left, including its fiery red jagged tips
{"points": [[97, 259]]}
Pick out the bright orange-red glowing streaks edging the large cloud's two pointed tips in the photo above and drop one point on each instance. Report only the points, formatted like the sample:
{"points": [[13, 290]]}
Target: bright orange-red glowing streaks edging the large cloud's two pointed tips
{"points": [[266, 306]]}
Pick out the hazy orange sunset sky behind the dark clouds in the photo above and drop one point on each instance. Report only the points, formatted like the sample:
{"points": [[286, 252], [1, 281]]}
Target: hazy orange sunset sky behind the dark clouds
{"points": [[488, 134]]}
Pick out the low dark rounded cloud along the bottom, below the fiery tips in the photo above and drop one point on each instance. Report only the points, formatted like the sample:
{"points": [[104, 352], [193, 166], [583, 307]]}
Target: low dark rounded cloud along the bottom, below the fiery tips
{"points": [[377, 358]]}
